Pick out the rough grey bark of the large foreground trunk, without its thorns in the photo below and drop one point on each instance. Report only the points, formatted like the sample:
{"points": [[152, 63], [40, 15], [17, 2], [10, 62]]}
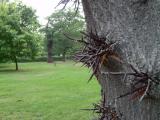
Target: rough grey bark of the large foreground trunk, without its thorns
{"points": [[136, 25]]}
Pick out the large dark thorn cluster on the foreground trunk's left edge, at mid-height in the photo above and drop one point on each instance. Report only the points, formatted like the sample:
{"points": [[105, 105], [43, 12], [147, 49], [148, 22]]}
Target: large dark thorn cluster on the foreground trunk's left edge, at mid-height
{"points": [[96, 52]]}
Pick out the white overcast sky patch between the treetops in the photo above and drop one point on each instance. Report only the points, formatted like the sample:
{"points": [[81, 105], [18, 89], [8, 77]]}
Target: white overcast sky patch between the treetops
{"points": [[43, 8]]}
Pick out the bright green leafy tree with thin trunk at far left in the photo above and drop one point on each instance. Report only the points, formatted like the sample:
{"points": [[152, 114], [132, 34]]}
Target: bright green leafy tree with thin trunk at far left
{"points": [[19, 35]]}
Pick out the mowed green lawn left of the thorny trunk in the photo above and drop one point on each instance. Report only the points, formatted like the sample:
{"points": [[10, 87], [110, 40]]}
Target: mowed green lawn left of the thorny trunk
{"points": [[41, 91]]}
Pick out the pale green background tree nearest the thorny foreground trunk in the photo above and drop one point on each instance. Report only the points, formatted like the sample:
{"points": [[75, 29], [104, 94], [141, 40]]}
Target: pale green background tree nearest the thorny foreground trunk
{"points": [[64, 22]]}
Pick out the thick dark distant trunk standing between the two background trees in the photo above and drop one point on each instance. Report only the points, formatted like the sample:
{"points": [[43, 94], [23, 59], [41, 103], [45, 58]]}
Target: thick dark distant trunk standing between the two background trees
{"points": [[49, 50]]}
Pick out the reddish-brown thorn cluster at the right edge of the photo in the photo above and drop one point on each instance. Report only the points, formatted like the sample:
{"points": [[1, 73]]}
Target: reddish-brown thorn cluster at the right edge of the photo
{"points": [[141, 83]]}
